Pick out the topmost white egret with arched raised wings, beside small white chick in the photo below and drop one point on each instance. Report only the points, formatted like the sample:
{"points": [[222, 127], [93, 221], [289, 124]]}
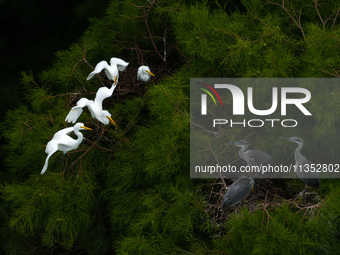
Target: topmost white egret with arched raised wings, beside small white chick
{"points": [[111, 71]]}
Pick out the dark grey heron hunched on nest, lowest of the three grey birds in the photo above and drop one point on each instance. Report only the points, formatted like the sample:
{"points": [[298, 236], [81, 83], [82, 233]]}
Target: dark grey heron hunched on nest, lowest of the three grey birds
{"points": [[238, 191]]}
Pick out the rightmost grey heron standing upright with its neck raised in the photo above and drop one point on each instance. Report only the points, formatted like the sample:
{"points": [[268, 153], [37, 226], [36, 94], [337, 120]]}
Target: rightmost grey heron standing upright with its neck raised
{"points": [[302, 168]]}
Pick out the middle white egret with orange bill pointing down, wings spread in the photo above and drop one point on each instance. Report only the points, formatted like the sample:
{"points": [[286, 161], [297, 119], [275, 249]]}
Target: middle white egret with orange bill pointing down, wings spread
{"points": [[95, 107]]}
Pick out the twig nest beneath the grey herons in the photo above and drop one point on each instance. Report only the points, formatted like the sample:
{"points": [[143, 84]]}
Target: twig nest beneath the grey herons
{"points": [[268, 194]]}
